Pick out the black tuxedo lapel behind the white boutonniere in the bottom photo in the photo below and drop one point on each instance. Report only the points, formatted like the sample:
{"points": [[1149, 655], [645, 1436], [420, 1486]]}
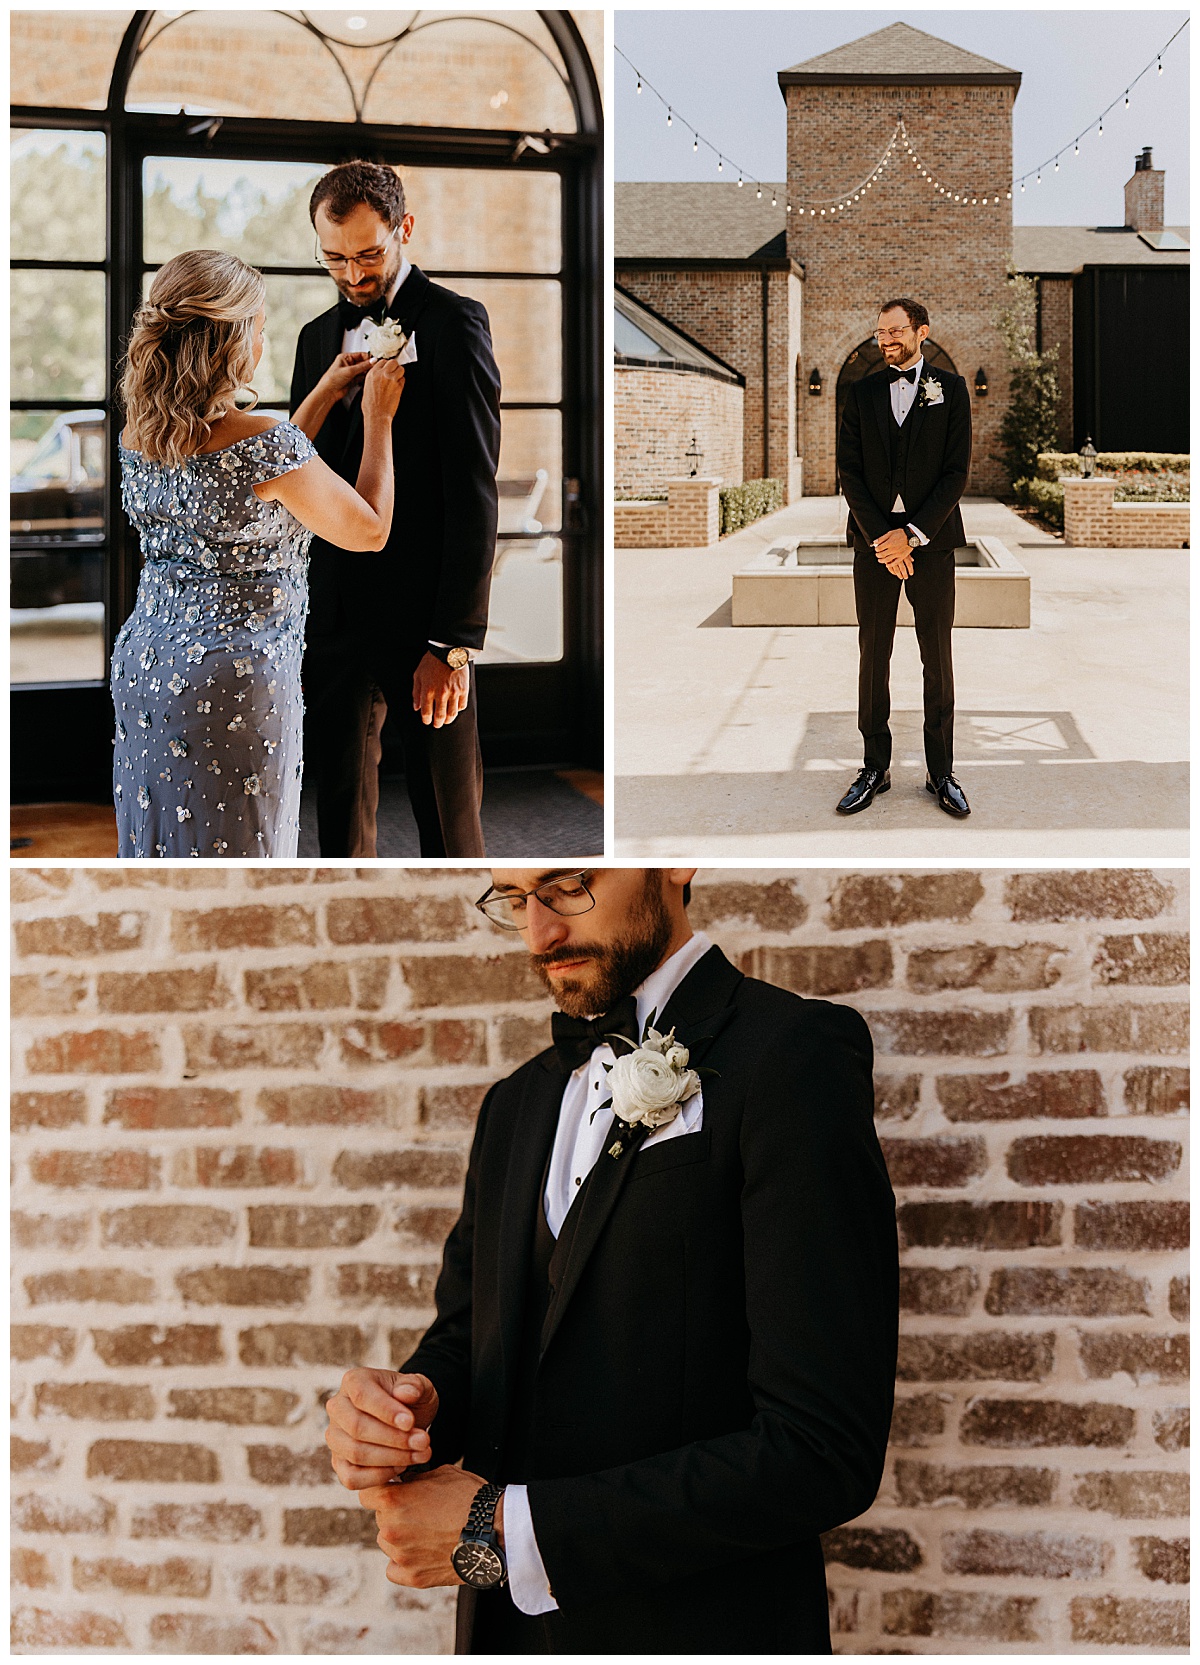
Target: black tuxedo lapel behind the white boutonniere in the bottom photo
{"points": [[700, 1010]]}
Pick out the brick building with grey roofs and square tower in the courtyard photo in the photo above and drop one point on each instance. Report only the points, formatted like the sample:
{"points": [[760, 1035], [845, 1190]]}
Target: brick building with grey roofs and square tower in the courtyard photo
{"points": [[901, 142]]}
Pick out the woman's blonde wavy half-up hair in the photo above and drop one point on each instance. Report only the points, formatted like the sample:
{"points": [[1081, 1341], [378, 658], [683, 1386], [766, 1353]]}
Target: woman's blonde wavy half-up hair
{"points": [[191, 352]]}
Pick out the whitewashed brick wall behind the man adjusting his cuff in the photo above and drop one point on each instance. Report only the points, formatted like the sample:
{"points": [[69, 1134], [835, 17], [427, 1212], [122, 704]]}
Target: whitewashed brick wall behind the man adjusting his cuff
{"points": [[242, 1108]]}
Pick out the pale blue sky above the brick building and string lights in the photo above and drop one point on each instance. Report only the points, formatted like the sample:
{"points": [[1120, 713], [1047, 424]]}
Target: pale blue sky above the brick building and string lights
{"points": [[718, 69]]}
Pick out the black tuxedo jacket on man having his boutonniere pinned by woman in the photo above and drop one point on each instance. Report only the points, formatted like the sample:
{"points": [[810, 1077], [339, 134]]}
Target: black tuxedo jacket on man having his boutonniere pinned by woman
{"points": [[434, 577]]}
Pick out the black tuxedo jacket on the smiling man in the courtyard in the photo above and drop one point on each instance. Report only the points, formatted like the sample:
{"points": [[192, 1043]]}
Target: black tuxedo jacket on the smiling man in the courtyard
{"points": [[940, 462]]}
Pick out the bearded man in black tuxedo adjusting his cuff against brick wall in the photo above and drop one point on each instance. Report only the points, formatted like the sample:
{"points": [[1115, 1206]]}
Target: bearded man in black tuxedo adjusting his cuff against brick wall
{"points": [[665, 1358]]}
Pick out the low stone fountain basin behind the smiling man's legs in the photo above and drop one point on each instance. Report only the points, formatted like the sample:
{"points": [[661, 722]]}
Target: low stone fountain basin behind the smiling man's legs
{"points": [[811, 582]]}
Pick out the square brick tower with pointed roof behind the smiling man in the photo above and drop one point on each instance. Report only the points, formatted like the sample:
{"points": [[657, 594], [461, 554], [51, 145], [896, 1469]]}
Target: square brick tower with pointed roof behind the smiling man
{"points": [[903, 237]]}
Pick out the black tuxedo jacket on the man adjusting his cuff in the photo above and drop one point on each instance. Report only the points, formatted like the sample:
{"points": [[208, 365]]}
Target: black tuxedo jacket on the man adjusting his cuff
{"points": [[720, 1353]]}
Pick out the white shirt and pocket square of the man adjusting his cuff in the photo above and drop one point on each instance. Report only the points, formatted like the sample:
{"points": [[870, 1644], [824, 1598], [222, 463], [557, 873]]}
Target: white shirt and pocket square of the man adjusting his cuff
{"points": [[578, 1143]]}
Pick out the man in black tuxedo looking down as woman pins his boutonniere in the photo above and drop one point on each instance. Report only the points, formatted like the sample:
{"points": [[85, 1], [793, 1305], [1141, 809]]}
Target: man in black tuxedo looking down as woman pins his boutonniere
{"points": [[395, 634]]}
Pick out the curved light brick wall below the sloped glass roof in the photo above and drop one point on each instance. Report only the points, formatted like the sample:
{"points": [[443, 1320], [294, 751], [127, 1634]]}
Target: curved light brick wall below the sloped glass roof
{"points": [[657, 415]]}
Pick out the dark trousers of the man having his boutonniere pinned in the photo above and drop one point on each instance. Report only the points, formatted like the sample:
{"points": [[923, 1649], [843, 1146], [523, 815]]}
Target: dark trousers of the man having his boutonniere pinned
{"points": [[347, 703]]}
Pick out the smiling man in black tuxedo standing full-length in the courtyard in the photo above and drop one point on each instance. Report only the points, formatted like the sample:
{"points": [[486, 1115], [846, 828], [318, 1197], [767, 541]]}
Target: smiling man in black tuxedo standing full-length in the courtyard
{"points": [[903, 462]]}
